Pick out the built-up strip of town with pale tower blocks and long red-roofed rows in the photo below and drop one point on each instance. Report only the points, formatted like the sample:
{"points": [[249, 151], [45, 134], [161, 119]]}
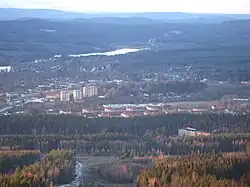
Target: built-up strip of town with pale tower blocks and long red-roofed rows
{"points": [[95, 98]]}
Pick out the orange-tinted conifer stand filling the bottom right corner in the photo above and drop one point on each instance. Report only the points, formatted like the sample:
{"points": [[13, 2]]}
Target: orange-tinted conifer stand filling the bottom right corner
{"points": [[199, 170]]}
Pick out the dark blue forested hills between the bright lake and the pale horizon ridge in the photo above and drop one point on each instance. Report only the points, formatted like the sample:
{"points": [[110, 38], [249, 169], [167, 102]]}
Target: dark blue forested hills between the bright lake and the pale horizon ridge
{"points": [[30, 39]]}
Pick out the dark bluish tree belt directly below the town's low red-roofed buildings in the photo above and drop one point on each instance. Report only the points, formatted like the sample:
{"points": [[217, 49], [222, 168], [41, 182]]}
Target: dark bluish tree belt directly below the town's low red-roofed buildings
{"points": [[169, 124]]}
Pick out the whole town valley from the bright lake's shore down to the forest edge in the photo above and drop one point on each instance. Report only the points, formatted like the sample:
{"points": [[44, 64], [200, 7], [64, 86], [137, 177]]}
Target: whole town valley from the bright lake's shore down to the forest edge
{"points": [[90, 86]]}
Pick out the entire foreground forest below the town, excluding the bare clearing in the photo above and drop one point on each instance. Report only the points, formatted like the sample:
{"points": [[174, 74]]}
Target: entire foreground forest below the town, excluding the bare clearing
{"points": [[39, 149]]}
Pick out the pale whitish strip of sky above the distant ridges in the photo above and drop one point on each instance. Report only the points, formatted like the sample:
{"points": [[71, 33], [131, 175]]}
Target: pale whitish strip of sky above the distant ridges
{"points": [[197, 6]]}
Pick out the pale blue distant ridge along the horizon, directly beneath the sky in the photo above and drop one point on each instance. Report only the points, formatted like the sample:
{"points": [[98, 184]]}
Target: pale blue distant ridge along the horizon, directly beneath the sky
{"points": [[13, 13]]}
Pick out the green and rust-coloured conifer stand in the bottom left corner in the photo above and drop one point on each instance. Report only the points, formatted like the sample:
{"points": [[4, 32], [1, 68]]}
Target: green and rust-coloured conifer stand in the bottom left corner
{"points": [[56, 166]]}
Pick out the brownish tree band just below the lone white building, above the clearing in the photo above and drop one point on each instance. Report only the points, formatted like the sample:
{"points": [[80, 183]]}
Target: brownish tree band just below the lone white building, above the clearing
{"points": [[122, 144]]}
